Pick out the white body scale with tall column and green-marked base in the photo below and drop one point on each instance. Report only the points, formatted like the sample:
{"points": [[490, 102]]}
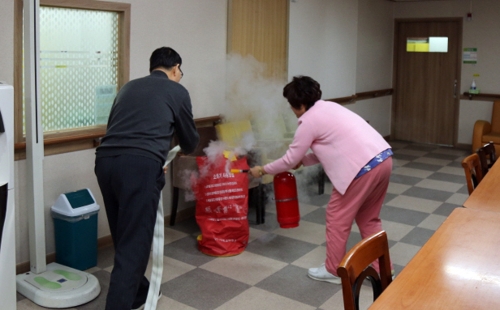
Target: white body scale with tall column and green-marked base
{"points": [[52, 285]]}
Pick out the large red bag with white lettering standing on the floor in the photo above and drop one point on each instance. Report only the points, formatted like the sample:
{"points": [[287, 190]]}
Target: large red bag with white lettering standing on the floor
{"points": [[222, 206]]}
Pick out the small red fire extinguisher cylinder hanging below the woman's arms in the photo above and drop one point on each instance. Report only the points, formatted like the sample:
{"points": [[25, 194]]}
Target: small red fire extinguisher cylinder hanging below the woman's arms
{"points": [[287, 203]]}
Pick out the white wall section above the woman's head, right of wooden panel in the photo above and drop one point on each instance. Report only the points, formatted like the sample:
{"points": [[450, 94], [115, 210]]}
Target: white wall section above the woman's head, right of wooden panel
{"points": [[322, 44]]}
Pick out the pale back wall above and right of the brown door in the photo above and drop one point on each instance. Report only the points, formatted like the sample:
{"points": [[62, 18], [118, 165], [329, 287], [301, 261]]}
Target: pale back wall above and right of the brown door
{"points": [[483, 32]]}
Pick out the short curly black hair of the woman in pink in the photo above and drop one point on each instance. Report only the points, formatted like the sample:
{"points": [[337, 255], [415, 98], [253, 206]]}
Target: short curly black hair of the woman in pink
{"points": [[302, 90]]}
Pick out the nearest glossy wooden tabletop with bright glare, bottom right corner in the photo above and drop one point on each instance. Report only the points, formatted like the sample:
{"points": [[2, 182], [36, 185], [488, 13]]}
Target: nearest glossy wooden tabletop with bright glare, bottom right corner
{"points": [[458, 268]]}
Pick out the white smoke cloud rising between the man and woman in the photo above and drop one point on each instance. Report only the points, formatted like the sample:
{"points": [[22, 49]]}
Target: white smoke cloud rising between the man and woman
{"points": [[251, 95]]}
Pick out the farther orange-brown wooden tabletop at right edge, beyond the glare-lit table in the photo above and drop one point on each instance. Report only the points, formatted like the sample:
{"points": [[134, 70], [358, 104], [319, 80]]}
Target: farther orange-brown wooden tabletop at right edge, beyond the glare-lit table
{"points": [[487, 194]]}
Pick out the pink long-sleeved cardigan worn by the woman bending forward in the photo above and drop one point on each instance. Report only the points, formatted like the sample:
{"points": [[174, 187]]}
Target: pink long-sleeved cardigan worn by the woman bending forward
{"points": [[341, 141]]}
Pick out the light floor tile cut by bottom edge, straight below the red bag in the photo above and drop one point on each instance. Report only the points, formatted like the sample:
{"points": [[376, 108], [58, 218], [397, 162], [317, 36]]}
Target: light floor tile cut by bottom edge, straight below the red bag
{"points": [[256, 298]]}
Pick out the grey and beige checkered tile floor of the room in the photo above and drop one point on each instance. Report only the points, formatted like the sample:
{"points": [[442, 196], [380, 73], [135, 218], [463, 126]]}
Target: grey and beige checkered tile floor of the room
{"points": [[426, 185]]}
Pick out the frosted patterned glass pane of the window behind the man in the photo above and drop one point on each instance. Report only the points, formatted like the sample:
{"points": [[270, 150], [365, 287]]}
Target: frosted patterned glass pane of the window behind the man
{"points": [[78, 66]]}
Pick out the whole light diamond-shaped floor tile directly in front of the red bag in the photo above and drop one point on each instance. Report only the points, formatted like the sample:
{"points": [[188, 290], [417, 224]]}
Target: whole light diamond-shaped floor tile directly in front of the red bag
{"points": [[246, 267]]}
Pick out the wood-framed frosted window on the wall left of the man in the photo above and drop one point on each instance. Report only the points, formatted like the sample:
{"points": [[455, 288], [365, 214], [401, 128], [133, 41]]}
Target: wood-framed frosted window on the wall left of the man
{"points": [[84, 56]]}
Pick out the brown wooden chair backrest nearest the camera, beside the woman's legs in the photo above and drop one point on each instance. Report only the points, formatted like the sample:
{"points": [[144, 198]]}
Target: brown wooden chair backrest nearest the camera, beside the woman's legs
{"points": [[356, 267]]}
